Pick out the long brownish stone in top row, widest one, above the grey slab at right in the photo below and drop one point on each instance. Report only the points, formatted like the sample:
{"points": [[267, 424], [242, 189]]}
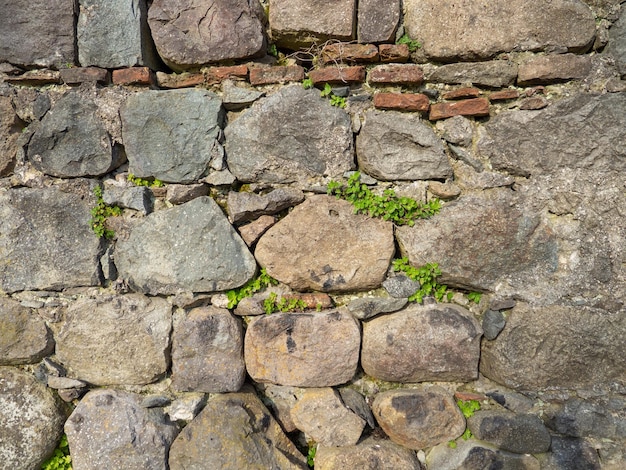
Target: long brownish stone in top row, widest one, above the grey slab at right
{"points": [[482, 31]]}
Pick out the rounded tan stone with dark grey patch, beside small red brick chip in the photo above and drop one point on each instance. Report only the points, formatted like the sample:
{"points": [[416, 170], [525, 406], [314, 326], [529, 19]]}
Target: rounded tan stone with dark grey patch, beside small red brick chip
{"points": [[418, 418]]}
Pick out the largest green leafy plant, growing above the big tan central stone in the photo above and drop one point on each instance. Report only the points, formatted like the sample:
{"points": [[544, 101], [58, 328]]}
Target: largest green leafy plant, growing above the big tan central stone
{"points": [[399, 210]]}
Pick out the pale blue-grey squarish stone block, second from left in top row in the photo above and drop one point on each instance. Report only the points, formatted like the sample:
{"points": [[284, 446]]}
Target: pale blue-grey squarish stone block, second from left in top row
{"points": [[114, 34]]}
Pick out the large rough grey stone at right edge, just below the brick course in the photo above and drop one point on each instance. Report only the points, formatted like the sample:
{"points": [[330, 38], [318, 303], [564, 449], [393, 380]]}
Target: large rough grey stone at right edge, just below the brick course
{"points": [[529, 143]]}
